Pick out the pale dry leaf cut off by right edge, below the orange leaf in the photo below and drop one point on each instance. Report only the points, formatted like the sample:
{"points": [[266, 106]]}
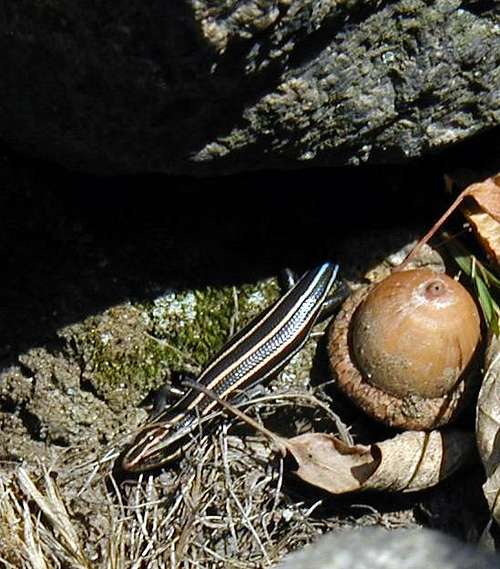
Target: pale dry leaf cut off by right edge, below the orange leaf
{"points": [[488, 427]]}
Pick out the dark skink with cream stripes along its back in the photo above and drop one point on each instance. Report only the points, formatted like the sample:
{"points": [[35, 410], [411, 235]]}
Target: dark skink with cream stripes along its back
{"points": [[253, 355]]}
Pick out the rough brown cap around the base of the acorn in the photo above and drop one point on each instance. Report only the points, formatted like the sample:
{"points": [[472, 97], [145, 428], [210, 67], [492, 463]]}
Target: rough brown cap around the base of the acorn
{"points": [[409, 409]]}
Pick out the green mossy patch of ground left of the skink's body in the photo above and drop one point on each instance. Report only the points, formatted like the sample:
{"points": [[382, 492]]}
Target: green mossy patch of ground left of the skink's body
{"points": [[130, 349]]}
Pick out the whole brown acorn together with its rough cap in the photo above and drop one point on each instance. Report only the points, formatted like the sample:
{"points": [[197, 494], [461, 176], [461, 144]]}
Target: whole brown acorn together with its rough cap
{"points": [[404, 349]]}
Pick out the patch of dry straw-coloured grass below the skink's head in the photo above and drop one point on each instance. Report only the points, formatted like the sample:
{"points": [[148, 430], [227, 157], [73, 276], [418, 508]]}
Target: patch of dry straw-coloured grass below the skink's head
{"points": [[222, 506]]}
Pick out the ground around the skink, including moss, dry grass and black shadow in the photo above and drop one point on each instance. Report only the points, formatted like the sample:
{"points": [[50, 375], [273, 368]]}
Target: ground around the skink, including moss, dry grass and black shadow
{"points": [[108, 285]]}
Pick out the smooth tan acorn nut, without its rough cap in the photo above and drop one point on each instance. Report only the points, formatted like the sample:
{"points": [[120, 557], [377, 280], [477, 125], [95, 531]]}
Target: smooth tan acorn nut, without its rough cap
{"points": [[415, 333]]}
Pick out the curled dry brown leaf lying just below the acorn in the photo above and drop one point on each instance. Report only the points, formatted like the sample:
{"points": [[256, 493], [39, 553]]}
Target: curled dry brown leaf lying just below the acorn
{"points": [[411, 461]]}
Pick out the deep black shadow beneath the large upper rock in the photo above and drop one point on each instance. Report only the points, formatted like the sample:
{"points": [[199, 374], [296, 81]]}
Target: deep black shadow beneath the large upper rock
{"points": [[72, 245]]}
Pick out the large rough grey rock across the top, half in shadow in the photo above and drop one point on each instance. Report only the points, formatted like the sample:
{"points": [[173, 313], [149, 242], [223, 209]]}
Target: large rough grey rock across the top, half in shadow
{"points": [[203, 87]]}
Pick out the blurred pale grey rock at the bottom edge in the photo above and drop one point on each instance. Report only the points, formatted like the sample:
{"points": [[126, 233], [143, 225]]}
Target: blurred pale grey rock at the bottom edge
{"points": [[371, 548]]}
